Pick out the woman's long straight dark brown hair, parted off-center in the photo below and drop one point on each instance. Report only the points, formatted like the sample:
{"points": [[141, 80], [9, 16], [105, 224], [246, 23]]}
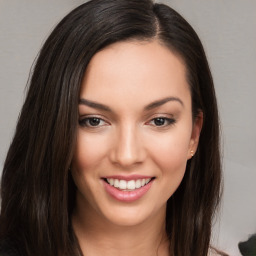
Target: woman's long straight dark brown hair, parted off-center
{"points": [[38, 194]]}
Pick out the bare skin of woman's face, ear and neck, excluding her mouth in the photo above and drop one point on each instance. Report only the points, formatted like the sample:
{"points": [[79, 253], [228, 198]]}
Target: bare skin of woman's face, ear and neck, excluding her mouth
{"points": [[126, 77]]}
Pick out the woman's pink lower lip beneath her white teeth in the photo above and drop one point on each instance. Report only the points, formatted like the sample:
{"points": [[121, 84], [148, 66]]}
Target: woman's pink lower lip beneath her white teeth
{"points": [[127, 196]]}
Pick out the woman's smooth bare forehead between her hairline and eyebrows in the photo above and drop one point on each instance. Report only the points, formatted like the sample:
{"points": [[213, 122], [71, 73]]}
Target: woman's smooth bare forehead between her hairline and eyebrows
{"points": [[135, 70]]}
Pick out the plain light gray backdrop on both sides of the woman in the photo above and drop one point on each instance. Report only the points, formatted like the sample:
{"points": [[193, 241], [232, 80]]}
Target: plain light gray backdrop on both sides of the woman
{"points": [[227, 29]]}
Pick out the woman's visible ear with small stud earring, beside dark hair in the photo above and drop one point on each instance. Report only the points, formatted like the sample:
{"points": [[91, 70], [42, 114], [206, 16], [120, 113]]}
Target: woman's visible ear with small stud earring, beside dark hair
{"points": [[196, 130]]}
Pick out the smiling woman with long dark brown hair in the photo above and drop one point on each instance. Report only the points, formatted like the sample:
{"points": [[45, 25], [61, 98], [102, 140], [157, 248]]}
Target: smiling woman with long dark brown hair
{"points": [[117, 145]]}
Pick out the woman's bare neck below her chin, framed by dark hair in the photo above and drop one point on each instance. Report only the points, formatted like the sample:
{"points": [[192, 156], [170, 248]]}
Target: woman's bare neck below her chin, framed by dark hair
{"points": [[98, 236]]}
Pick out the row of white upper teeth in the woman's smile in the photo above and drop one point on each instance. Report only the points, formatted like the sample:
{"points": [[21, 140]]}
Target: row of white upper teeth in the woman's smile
{"points": [[128, 185]]}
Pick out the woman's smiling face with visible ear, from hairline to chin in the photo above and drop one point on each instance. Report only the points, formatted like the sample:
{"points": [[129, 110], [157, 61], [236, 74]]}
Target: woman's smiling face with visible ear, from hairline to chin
{"points": [[135, 132]]}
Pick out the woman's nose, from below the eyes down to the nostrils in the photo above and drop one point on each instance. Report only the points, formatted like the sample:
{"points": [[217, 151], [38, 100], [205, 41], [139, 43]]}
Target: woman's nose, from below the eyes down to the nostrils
{"points": [[128, 149]]}
